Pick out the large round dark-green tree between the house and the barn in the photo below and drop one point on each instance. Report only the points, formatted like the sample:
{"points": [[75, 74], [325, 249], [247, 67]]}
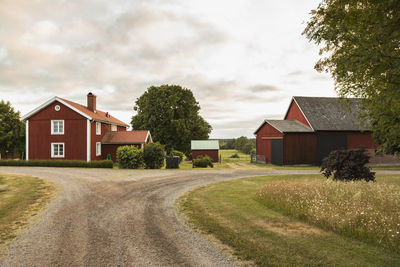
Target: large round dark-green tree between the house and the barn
{"points": [[171, 113]]}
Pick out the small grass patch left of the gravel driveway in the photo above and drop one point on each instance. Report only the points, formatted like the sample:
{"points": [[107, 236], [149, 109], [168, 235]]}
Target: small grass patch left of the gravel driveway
{"points": [[21, 197]]}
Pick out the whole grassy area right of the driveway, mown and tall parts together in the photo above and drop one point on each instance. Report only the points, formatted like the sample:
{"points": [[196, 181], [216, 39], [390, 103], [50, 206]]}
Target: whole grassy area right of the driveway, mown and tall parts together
{"points": [[321, 224]]}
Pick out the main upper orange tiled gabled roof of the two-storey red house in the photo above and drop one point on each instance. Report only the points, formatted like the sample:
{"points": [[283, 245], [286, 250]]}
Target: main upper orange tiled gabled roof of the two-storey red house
{"points": [[82, 110]]}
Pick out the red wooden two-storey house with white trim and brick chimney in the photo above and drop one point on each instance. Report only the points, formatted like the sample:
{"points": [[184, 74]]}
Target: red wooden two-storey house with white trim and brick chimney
{"points": [[62, 129]]}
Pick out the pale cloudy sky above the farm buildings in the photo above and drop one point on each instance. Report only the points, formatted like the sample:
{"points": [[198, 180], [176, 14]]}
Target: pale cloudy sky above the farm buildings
{"points": [[243, 60]]}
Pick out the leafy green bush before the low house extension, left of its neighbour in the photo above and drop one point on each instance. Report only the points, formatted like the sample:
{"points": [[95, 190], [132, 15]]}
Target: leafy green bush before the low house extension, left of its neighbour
{"points": [[129, 157]]}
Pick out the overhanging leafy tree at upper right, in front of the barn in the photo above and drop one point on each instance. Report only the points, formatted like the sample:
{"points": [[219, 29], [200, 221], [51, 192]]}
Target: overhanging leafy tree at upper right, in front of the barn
{"points": [[360, 47]]}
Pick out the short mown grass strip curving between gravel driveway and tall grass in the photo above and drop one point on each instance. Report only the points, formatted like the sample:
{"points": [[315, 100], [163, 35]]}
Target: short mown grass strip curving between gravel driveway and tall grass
{"points": [[232, 212]]}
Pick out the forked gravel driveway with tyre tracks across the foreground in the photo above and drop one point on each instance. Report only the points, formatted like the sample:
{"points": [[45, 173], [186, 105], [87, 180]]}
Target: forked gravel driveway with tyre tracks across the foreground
{"points": [[118, 218]]}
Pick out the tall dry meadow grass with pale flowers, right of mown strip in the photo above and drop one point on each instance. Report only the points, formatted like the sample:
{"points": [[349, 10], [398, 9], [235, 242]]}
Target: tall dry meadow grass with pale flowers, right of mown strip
{"points": [[368, 211]]}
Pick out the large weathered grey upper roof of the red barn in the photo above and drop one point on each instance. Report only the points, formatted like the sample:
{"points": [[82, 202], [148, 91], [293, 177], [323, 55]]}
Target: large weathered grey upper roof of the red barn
{"points": [[329, 113]]}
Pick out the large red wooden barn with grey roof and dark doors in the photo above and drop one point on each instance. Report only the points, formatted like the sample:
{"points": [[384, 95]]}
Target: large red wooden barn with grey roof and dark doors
{"points": [[311, 129]]}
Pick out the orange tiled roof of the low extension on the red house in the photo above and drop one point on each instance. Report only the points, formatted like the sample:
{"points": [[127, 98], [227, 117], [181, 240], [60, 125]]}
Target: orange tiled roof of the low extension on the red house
{"points": [[126, 137]]}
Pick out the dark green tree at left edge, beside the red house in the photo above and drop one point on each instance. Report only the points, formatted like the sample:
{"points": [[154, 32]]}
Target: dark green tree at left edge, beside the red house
{"points": [[12, 130]]}
